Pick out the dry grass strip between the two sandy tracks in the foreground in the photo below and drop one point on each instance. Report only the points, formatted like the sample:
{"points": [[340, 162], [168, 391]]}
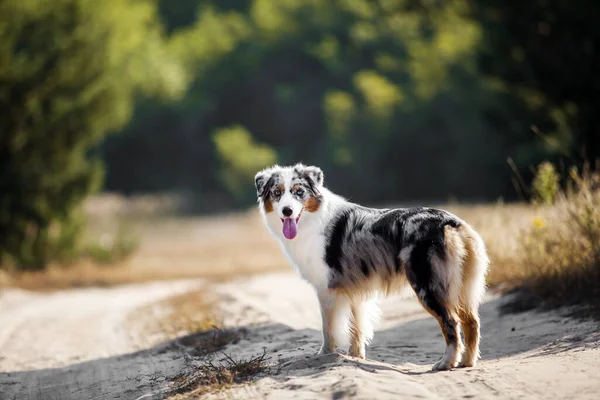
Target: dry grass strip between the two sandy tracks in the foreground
{"points": [[192, 321]]}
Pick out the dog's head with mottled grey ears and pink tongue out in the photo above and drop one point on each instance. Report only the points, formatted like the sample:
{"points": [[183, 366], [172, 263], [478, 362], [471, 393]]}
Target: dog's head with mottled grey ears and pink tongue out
{"points": [[289, 192]]}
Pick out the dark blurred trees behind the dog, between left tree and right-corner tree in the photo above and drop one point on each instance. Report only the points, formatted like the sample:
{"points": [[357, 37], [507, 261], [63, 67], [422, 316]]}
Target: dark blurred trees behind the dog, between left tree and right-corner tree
{"points": [[386, 93]]}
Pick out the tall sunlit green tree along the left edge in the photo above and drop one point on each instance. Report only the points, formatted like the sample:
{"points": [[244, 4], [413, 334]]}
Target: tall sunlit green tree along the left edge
{"points": [[69, 73]]}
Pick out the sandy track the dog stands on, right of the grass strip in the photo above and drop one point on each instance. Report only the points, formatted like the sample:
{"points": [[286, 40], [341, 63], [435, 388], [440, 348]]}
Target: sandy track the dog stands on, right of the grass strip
{"points": [[525, 356]]}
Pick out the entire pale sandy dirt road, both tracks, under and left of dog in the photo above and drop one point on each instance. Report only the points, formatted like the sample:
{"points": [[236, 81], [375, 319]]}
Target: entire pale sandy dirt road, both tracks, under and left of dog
{"points": [[74, 345]]}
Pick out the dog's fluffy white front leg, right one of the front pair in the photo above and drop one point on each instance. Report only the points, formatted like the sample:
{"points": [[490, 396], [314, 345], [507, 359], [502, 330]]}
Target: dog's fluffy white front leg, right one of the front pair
{"points": [[364, 314]]}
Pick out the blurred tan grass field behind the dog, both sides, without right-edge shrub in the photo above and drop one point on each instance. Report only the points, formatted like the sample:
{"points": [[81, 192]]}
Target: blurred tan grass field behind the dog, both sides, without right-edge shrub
{"points": [[225, 246]]}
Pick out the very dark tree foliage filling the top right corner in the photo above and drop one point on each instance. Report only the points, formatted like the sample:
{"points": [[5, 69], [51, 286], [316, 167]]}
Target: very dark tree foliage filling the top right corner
{"points": [[547, 55]]}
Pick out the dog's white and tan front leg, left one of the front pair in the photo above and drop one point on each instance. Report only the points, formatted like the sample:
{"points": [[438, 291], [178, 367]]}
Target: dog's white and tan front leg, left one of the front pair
{"points": [[334, 316]]}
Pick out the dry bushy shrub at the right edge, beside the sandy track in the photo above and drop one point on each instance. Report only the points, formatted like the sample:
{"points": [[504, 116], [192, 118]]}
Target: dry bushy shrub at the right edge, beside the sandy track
{"points": [[561, 252]]}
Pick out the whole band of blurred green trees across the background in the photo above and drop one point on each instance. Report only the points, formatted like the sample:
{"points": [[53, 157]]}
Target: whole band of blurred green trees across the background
{"points": [[397, 100]]}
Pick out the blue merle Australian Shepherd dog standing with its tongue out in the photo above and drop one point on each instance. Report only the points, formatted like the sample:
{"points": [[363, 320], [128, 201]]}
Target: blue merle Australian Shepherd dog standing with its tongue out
{"points": [[352, 254]]}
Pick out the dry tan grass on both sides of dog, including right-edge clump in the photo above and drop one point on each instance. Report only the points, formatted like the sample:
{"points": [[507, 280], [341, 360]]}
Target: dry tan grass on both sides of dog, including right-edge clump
{"points": [[523, 254]]}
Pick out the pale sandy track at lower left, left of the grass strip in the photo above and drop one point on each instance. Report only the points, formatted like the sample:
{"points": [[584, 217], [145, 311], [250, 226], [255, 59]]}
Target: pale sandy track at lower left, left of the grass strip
{"points": [[75, 345]]}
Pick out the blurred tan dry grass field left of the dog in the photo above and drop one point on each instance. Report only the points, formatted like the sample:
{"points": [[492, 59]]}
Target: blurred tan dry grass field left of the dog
{"points": [[215, 248]]}
